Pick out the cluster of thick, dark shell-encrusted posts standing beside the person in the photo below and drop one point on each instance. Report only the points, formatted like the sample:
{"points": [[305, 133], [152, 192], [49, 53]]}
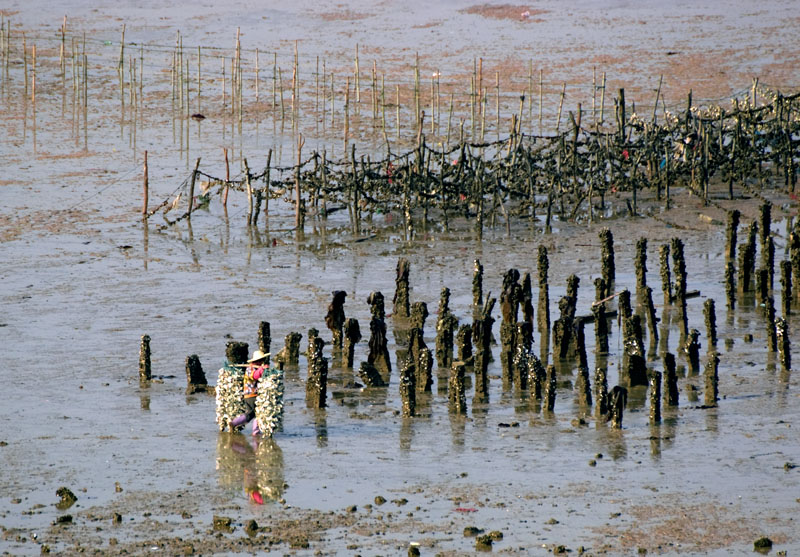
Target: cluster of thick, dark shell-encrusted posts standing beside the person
{"points": [[459, 348]]}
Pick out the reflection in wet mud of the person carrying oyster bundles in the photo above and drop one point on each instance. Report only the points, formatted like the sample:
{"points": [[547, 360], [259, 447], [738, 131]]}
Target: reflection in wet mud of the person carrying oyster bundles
{"points": [[256, 464]]}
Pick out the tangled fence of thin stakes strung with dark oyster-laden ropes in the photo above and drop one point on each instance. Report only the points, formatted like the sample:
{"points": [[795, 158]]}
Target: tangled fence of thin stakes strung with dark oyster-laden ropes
{"points": [[569, 174]]}
